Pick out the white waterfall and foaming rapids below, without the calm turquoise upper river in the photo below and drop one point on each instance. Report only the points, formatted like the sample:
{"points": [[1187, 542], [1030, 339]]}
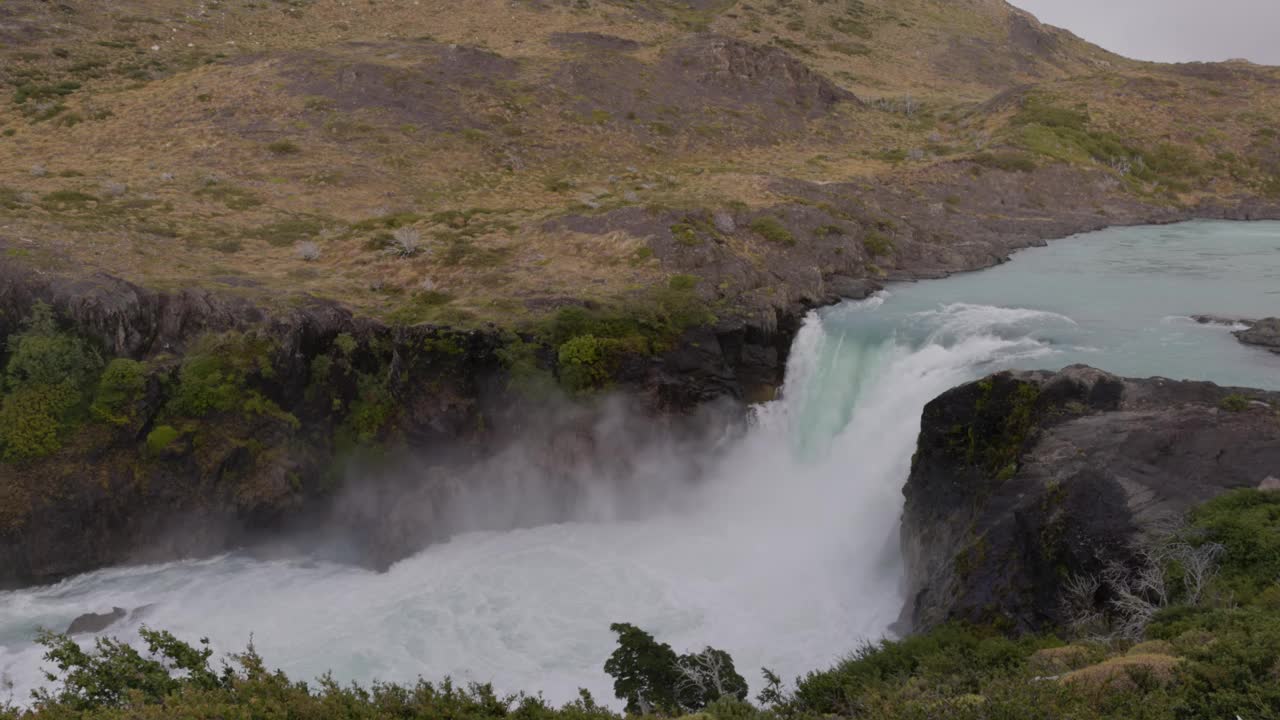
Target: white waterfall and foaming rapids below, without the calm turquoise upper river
{"points": [[785, 554]]}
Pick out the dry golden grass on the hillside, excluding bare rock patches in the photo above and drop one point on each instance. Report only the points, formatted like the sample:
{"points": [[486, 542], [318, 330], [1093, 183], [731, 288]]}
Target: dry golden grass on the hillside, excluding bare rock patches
{"points": [[204, 188]]}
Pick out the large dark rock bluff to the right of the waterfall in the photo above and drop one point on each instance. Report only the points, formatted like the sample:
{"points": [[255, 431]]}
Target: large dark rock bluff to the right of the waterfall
{"points": [[1023, 480]]}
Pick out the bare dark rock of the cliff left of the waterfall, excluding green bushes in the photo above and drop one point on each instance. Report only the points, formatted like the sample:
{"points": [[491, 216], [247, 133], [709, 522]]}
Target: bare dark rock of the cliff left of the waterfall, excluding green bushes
{"points": [[252, 479]]}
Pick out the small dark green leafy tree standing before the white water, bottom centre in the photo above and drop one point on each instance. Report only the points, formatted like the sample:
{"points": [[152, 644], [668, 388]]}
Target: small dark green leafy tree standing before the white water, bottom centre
{"points": [[644, 672]]}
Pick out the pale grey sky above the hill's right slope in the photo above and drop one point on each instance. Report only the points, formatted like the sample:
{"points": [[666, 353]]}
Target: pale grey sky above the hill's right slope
{"points": [[1171, 30]]}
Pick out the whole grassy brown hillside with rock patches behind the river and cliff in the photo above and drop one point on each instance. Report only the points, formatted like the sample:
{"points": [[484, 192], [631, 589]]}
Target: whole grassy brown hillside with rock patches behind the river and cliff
{"points": [[495, 161]]}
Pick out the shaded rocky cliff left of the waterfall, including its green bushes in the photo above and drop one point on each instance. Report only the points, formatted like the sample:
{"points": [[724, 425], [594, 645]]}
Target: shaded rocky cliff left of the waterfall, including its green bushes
{"points": [[204, 423]]}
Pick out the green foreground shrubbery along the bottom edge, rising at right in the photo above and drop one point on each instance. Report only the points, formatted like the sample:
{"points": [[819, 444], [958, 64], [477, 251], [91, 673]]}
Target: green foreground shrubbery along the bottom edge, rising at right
{"points": [[1218, 658]]}
